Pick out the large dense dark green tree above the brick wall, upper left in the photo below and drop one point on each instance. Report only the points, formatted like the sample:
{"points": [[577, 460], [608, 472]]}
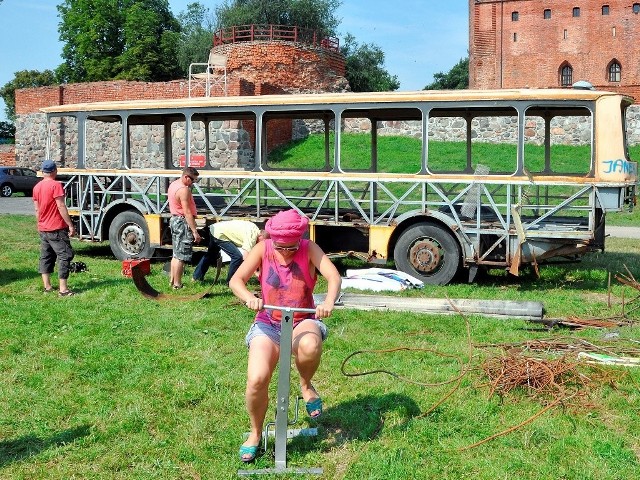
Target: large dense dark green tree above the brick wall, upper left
{"points": [[118, 39]]}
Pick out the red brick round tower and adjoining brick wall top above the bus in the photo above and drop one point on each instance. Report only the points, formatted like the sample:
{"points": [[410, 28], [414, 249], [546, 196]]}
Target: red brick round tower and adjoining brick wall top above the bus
{"points": [[253, 68]]}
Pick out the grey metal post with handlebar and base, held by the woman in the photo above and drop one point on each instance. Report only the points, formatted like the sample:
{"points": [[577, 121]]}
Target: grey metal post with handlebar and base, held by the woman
{"points": [[282, 403]]}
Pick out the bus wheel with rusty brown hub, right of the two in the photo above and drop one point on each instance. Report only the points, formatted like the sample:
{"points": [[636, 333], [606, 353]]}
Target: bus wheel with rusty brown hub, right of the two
{"points": [[428, 252]]}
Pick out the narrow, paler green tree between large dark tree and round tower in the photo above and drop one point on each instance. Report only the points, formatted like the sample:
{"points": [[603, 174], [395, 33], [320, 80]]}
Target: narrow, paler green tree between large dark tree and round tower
{"points": [[196, 27]]}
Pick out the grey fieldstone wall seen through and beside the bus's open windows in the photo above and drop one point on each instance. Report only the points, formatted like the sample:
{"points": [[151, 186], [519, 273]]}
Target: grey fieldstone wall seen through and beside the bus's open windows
{"points": [[231, 141]]}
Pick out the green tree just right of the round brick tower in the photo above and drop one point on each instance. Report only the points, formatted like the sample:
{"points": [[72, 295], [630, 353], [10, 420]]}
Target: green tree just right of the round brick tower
{"points": [[365, 67]]}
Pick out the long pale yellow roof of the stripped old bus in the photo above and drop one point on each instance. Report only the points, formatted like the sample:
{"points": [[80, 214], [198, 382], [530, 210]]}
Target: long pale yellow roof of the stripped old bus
{"points": [[341, 98]]}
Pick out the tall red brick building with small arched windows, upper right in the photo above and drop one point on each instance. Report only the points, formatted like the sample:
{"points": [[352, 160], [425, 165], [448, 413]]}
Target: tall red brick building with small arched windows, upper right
{"points": [[512, 45]]}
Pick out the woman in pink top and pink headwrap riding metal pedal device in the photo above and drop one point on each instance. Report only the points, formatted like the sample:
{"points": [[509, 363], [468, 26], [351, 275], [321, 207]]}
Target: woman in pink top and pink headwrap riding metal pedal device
{"points": [[288, 268]]}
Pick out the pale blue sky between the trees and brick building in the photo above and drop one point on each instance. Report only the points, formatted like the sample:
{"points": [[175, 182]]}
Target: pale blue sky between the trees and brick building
{"points": [[418, 37]]}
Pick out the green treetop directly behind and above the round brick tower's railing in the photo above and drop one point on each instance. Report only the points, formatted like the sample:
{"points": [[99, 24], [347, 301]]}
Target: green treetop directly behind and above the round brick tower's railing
{"points": [[318, 15]]}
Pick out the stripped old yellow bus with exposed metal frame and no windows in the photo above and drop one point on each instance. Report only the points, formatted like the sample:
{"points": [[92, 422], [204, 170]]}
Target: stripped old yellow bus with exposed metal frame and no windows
{"points": [[441, 183]]}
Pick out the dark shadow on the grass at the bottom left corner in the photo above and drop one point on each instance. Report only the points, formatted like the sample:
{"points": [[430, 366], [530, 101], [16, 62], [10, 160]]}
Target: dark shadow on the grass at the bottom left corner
{"points": [[30, 445]]}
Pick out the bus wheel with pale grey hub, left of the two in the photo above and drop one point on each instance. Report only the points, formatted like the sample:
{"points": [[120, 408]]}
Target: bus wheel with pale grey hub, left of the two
{"points": [[129, 236]]}
